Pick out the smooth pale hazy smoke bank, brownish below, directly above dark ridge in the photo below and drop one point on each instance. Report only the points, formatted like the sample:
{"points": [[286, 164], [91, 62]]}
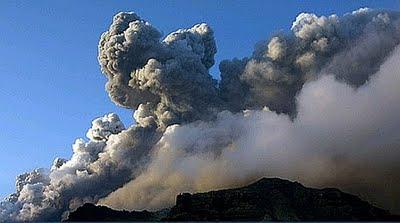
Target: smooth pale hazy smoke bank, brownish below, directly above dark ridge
{"points": [[341, 137]]}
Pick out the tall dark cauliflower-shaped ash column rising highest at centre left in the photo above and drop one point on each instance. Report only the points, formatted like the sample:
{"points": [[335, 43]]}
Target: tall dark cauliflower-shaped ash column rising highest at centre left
{"points": [[168, 80]]}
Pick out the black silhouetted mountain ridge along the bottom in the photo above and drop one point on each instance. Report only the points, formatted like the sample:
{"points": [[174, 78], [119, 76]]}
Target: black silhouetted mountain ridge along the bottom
{"points": [[269, 199]]}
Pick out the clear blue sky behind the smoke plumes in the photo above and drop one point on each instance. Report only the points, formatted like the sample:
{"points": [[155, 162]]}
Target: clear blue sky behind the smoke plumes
{"points": [[51, 86]]}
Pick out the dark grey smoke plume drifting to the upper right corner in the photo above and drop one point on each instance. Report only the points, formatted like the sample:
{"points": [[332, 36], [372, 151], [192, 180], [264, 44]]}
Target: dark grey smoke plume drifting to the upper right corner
{"points": [[351, 47]]}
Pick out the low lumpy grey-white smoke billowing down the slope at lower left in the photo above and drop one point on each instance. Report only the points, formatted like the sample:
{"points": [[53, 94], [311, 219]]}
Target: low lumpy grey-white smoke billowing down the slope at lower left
{"points": [[97, 167]]}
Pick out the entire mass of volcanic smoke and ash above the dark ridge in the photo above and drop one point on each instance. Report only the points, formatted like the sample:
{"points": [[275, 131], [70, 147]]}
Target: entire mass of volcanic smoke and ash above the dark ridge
{"points": [[318, 104]]}
